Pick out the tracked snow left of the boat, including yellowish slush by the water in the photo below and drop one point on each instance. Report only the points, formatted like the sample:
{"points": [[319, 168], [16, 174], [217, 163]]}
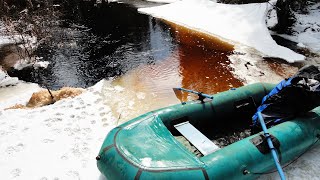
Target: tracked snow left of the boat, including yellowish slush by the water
{"points": [[61, 141]]}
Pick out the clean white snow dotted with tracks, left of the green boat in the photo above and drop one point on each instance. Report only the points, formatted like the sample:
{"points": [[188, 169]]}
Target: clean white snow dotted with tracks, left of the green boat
{"points": [[59, 141]]}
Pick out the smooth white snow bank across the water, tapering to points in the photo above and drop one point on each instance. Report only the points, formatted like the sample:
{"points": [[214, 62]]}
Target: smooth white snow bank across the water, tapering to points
{"points": [[244, 24]]}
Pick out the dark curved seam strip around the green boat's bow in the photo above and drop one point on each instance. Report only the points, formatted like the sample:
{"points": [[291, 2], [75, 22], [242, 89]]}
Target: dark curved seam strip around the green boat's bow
{"points": [[144, 168]]}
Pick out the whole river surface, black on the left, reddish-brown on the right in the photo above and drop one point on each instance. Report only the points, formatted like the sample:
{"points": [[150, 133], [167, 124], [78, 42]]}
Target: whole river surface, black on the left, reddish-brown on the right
{"points": [[138, 51]]}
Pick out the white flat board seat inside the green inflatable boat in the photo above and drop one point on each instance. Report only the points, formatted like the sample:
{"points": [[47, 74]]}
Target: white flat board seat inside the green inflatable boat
{"points": [[194, 136]]}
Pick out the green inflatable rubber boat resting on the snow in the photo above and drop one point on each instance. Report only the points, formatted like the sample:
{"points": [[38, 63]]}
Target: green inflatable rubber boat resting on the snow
{"points": [[216, 141]]}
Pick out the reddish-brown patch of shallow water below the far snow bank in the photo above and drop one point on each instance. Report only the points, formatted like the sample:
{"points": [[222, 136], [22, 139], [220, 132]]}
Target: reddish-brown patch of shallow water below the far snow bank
{"points": [[203, 61]]}
